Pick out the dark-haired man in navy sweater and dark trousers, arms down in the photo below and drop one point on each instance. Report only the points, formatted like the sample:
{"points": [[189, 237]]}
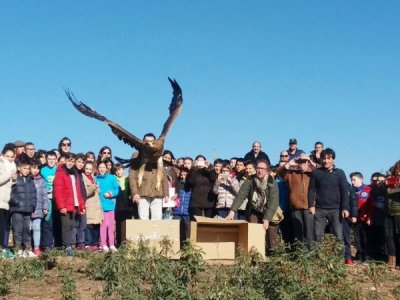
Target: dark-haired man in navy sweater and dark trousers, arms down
{"points": [[328, 196]]}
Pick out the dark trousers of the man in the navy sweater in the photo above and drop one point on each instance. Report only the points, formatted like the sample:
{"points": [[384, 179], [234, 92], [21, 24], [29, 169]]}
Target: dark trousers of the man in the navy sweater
{"points": [[332, 216]]}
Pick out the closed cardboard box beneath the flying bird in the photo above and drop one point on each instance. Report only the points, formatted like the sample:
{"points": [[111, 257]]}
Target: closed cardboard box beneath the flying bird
{"points": [[152, 231]]}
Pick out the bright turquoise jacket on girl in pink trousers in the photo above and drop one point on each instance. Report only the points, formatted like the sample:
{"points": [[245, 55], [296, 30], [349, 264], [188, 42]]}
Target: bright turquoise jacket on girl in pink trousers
{"points": [[108, 183]]}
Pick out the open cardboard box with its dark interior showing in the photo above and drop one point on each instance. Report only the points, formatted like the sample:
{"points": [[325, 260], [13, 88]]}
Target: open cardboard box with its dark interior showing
{"points": [[221, 239]]}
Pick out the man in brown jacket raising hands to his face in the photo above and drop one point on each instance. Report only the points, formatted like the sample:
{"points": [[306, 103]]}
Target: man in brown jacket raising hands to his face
{"points": [[296, 174]]}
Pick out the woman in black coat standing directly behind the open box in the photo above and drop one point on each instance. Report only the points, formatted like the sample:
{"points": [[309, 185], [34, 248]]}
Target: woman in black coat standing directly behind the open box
{"points": [[200, 182]]}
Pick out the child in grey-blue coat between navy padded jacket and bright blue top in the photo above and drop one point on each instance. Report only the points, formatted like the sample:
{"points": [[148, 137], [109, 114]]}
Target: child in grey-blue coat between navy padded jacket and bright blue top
{"points": [[41, 205]]}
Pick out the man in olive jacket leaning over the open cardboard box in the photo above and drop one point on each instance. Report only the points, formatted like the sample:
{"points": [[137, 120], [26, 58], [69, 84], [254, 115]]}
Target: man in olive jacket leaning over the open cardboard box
{"points": [[263, 195]]}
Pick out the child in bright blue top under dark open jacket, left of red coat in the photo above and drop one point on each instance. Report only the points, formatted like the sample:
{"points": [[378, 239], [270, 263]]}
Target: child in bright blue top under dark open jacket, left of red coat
{"points": [[48, 173]]}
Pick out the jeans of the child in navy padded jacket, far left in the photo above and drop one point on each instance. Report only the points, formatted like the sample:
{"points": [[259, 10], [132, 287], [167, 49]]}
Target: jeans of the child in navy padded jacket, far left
{"points": [[21, 224]]}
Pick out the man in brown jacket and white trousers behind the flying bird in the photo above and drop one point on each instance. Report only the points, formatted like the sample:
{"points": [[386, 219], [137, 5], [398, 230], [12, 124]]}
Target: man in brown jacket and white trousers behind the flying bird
{"points": [[148, 197]]}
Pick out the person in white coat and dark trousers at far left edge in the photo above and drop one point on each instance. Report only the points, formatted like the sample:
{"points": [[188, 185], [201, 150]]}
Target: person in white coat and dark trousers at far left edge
{"points": [[8, 177]]}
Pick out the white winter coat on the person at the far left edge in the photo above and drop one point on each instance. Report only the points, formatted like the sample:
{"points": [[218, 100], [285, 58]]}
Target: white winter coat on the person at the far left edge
{"points": [[7, 168]]}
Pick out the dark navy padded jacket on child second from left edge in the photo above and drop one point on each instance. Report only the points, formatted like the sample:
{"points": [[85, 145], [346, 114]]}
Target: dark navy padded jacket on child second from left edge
{"points": [[23, 195]]}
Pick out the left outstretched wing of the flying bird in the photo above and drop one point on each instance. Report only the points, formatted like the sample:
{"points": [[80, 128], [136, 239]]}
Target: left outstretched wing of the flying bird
{"points": [[120, 132]]}
